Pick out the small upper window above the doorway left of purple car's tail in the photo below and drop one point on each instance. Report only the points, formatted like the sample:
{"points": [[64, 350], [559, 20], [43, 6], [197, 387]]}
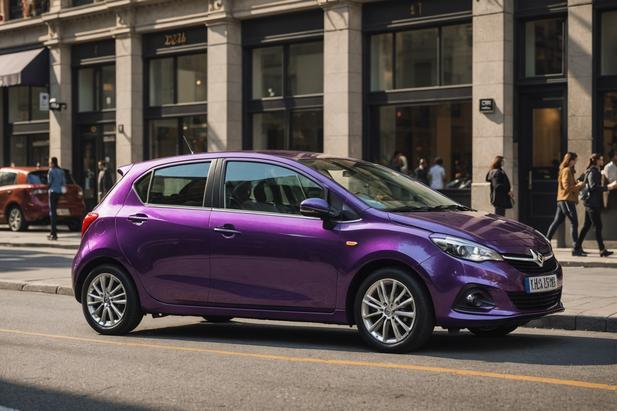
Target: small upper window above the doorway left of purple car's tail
{"points": [[96, 88]]}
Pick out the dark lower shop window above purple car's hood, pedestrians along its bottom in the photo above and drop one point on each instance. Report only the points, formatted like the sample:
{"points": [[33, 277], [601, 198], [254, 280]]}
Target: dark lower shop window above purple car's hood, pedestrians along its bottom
{"points": [[427, 132]]}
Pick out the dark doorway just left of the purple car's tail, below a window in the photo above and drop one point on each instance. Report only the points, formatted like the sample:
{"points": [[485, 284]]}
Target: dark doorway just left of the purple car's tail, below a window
{"points": [[97, 142]]}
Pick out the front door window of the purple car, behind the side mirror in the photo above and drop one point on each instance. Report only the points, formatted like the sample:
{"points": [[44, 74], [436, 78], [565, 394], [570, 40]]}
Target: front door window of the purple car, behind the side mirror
{"points": [[267, 188]]}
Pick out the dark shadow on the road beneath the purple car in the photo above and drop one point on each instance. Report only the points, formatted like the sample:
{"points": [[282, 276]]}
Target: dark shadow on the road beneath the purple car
{"points": [[520, 347]]}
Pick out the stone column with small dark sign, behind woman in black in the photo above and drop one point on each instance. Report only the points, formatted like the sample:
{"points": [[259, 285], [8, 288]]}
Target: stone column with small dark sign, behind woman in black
{"points": [[492, 78]]}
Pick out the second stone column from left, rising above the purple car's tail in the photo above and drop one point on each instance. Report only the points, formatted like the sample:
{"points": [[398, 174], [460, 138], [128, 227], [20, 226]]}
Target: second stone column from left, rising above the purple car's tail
{"points": [[129, 99]]}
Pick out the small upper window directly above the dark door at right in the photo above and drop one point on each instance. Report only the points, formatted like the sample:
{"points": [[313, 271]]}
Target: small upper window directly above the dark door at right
{"points": [[544, 45]]}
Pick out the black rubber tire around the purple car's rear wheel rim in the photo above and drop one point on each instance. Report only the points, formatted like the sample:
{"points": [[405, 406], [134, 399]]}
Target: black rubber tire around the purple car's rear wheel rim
{"points": [[133, 313]]}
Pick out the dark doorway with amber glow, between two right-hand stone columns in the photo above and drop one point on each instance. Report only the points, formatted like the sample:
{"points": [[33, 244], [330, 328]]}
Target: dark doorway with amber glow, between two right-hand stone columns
{"points": [[542, 143]]}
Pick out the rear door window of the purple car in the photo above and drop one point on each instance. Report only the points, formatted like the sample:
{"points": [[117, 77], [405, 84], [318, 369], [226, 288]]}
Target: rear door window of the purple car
{"points": [[179, 185]]}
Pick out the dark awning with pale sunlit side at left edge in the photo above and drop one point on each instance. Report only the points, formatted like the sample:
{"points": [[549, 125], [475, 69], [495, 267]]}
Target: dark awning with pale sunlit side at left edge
{"points": [[29, 68]]}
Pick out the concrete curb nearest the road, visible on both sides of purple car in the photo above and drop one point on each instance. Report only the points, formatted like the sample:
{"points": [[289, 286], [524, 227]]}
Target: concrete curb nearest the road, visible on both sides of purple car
{"points": [[558, 321]]}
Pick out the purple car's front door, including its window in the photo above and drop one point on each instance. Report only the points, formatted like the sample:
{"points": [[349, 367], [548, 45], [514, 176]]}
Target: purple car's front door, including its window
{"points": [[264, 253]]}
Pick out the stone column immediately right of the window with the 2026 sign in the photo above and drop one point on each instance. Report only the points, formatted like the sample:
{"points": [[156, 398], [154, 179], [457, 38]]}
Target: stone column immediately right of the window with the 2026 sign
{"points": [[224, 85]]}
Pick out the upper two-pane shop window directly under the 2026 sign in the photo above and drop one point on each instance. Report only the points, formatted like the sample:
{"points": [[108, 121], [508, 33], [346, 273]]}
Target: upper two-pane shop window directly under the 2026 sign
{"points": [[178, 79]]}
